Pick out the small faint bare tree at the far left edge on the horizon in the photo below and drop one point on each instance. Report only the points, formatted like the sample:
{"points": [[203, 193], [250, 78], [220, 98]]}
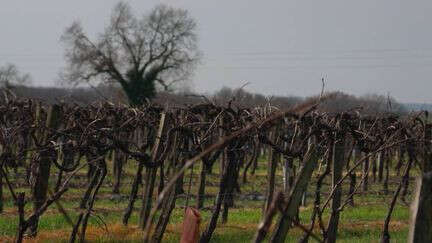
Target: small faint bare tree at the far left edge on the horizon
{"points": [[10, 76]]}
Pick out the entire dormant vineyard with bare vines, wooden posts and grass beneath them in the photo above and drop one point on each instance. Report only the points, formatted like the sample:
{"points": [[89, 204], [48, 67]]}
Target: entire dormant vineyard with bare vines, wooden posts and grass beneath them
{"points": [[212, 173]]}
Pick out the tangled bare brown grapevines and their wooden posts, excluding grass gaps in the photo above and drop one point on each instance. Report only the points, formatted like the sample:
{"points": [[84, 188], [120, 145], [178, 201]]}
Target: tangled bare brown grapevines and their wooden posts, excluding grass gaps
{"points": [[164, 143]]}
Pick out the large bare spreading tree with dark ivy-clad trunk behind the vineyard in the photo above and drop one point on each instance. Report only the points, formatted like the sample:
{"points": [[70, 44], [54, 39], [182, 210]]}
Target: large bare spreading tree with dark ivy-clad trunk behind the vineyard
{"points": [[139, 54]]}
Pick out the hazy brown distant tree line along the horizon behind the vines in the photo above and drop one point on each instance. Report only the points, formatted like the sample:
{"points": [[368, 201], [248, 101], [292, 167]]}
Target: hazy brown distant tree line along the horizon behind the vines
{"points": [[339, 101]]}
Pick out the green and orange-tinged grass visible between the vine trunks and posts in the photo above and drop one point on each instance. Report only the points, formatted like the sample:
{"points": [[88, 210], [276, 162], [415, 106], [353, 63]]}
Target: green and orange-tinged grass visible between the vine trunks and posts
{"points": [[361, 223]]}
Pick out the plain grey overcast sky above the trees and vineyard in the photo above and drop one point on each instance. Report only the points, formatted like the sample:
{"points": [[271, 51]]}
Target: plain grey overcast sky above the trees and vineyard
{"points": [[280, 47]]}
